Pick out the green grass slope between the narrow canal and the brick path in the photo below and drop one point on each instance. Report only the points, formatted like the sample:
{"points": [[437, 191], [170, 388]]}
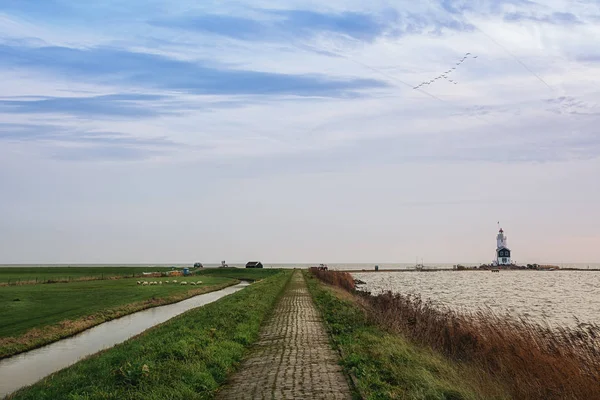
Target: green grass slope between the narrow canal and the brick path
{"points": [[187, 357]]}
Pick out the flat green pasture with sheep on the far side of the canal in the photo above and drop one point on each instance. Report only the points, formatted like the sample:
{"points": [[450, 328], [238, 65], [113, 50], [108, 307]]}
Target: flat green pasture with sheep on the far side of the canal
{"points": [[34, 315]]}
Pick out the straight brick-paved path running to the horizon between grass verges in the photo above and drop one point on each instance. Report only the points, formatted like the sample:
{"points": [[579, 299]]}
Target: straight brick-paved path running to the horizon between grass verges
{"points": [[293, 358]]}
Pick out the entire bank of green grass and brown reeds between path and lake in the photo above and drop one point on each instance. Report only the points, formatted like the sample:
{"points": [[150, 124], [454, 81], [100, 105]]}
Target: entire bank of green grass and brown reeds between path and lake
{"points": [[552, 363]]}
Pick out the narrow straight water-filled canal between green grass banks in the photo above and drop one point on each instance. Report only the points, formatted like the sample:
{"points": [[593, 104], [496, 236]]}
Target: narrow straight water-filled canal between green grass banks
{"points": [[27, 368]]}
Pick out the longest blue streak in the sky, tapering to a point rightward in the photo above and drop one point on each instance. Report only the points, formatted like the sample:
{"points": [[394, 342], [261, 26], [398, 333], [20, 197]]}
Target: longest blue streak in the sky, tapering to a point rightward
{"points": [[118, 66]]}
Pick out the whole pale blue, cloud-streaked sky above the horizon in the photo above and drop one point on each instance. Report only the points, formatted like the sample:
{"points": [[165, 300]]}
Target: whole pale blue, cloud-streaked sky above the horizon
{"points": [[163, 131]]}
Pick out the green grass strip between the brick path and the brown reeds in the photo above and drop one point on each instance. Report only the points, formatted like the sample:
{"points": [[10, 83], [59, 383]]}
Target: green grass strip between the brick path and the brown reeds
{"points": [[387, 366]]}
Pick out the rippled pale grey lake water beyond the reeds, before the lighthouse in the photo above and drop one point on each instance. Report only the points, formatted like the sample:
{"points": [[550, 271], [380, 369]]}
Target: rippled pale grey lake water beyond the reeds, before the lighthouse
{"points": [[553, 296]]}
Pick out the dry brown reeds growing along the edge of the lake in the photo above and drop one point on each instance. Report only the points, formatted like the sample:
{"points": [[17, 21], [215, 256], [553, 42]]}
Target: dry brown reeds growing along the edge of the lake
{"points": [[527, 360]]}
